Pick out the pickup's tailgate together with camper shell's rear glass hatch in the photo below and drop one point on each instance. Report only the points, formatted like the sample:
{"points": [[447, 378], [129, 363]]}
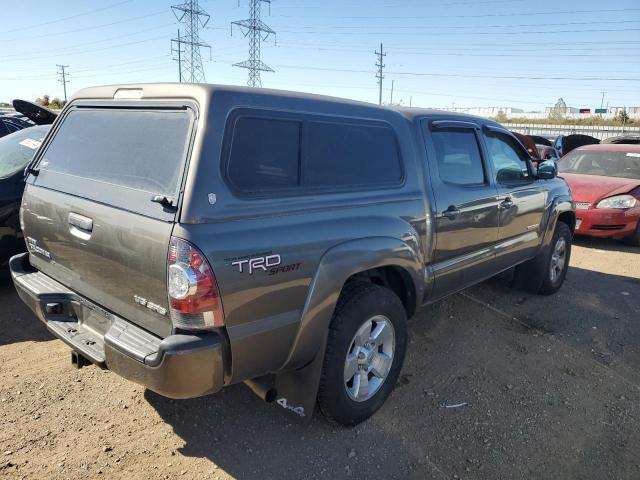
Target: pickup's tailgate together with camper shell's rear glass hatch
{"points": [[89, 217]]}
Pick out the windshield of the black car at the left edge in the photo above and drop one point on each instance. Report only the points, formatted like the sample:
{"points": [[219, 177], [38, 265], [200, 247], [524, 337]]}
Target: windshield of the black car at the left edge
{"points": [[18, 148]]}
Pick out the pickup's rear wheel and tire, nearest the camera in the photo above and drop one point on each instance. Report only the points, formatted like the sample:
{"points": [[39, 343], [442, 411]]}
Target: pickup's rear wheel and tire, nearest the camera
{"points": [[365, 351]]}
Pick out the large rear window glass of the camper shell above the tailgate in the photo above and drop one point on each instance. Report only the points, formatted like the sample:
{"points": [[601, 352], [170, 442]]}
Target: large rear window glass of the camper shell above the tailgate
{"points": [[138, 149]]}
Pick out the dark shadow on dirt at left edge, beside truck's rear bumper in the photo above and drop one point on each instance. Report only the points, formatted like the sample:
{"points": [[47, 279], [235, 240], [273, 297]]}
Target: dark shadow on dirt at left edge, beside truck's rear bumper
{"points": [[17, 322]]}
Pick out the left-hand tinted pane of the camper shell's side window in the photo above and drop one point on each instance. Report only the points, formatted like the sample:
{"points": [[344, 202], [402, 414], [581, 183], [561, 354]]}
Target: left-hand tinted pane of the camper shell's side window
{"points": [[265, 154]]}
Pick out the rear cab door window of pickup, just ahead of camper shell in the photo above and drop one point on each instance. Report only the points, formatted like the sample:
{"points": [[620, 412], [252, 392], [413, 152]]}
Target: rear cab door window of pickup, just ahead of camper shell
{"points": [[458, 157]]}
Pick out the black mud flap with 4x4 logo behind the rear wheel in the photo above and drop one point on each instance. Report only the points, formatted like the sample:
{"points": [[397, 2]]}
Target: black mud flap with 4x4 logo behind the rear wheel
{"points": [[298, 389]]}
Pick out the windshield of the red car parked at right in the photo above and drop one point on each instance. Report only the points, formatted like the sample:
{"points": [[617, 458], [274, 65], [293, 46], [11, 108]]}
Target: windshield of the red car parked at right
{"points": [[608, 164]]}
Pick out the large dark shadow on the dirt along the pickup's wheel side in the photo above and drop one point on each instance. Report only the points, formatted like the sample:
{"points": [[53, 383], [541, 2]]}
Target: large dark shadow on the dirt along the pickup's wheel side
{"points": [[460, 351]]}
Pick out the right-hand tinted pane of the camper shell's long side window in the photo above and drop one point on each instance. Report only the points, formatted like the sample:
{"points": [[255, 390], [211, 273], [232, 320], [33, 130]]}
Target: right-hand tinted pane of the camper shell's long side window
{"points": [[339, 154]]}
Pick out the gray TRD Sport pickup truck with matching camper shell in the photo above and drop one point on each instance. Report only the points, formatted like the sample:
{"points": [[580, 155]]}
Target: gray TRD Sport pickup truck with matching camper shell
{"points": [[190, 237]]}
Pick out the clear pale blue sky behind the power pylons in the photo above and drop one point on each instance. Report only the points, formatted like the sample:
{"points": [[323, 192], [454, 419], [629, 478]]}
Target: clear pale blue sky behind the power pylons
{"points": [[440, 53]]}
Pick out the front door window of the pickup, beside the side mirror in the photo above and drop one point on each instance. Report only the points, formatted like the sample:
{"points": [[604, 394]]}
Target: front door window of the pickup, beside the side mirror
{"points": [[508, 158]]}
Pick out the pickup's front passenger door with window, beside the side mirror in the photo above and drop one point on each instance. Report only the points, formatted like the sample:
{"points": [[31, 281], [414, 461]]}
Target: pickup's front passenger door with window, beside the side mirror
{"points": [[521, 198]]}
